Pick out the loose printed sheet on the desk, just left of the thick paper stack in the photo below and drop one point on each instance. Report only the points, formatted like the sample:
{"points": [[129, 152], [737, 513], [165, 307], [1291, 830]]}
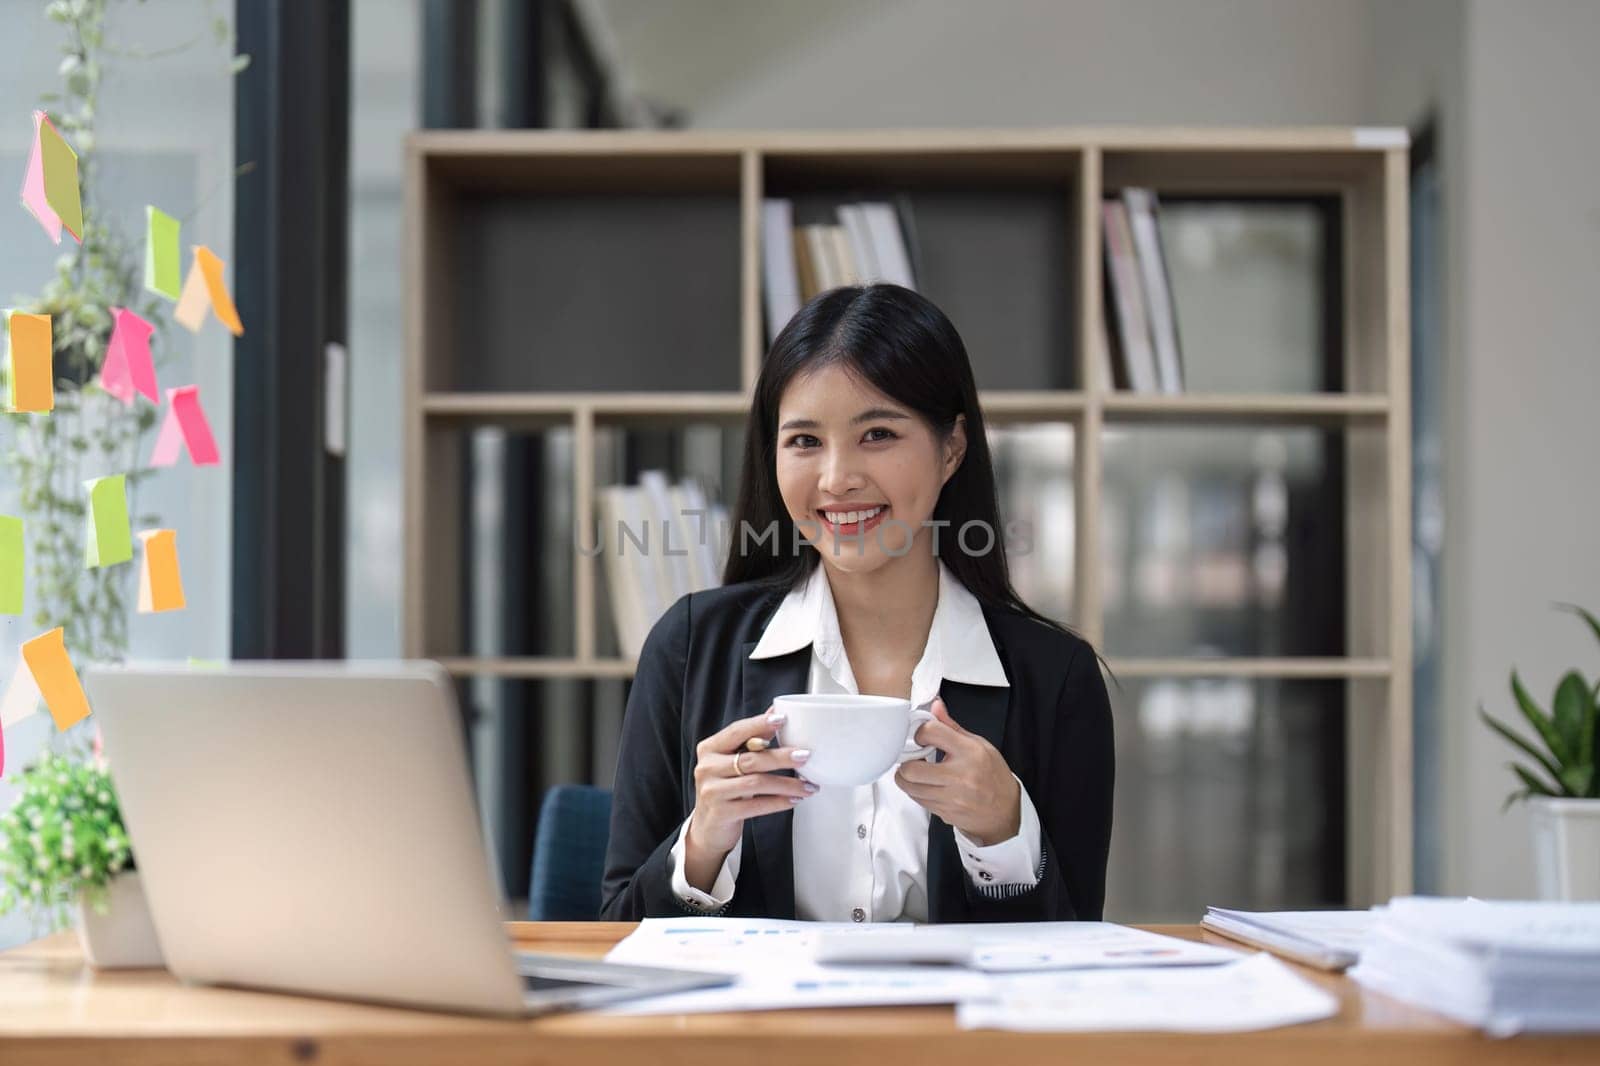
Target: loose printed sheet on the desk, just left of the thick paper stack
{"points": [[1255, 993]]}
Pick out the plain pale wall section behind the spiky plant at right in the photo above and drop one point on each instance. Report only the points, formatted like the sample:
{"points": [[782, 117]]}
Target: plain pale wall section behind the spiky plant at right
{"points": [[1524, 510]]}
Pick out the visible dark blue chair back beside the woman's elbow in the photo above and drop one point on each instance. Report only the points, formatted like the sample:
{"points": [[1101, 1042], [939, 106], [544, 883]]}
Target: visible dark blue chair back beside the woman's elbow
{"points": [[569, 854]]}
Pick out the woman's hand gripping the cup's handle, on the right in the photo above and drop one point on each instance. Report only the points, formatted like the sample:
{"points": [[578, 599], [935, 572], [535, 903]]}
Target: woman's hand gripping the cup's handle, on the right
{"points": [[972, 788]]}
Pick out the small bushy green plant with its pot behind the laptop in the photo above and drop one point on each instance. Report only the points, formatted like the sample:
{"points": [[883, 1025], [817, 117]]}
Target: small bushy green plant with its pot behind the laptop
{"points": [[63, 849]]}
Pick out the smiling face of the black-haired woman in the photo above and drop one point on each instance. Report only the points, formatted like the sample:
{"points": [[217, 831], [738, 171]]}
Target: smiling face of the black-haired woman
{"points": [[860, 473]]}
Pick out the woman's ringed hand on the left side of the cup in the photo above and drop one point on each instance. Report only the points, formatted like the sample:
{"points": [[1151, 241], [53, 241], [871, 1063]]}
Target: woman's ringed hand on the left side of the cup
{"points": [[724, 796]]}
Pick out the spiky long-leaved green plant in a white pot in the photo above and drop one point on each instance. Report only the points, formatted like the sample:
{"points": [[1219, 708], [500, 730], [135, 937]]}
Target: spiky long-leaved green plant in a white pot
{"points": [[1562, 785]]}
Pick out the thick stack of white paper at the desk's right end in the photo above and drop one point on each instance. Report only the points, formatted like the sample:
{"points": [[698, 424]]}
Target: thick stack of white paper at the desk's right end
{"points": [[1506, 968]]}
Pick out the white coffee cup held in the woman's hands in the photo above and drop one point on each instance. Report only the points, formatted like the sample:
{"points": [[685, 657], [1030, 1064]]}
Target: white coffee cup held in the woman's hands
{"points": [[854, 740]]}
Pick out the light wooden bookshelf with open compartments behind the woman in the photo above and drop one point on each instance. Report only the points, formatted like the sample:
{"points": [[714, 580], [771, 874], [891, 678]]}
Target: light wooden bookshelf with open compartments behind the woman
{"points": [[514, 278]]}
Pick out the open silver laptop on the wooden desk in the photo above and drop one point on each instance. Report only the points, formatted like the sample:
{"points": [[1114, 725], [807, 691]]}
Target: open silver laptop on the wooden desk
{"points": [[311, 828]]}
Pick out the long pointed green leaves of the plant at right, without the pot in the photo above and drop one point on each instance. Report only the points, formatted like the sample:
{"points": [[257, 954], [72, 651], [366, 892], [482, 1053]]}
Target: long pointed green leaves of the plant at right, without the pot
{"points": [[1567, 734]]}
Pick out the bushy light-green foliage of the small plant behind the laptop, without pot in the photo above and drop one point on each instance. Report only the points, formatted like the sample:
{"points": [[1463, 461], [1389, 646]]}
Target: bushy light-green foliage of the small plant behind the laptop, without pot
{"points": [[63, 840]]}
